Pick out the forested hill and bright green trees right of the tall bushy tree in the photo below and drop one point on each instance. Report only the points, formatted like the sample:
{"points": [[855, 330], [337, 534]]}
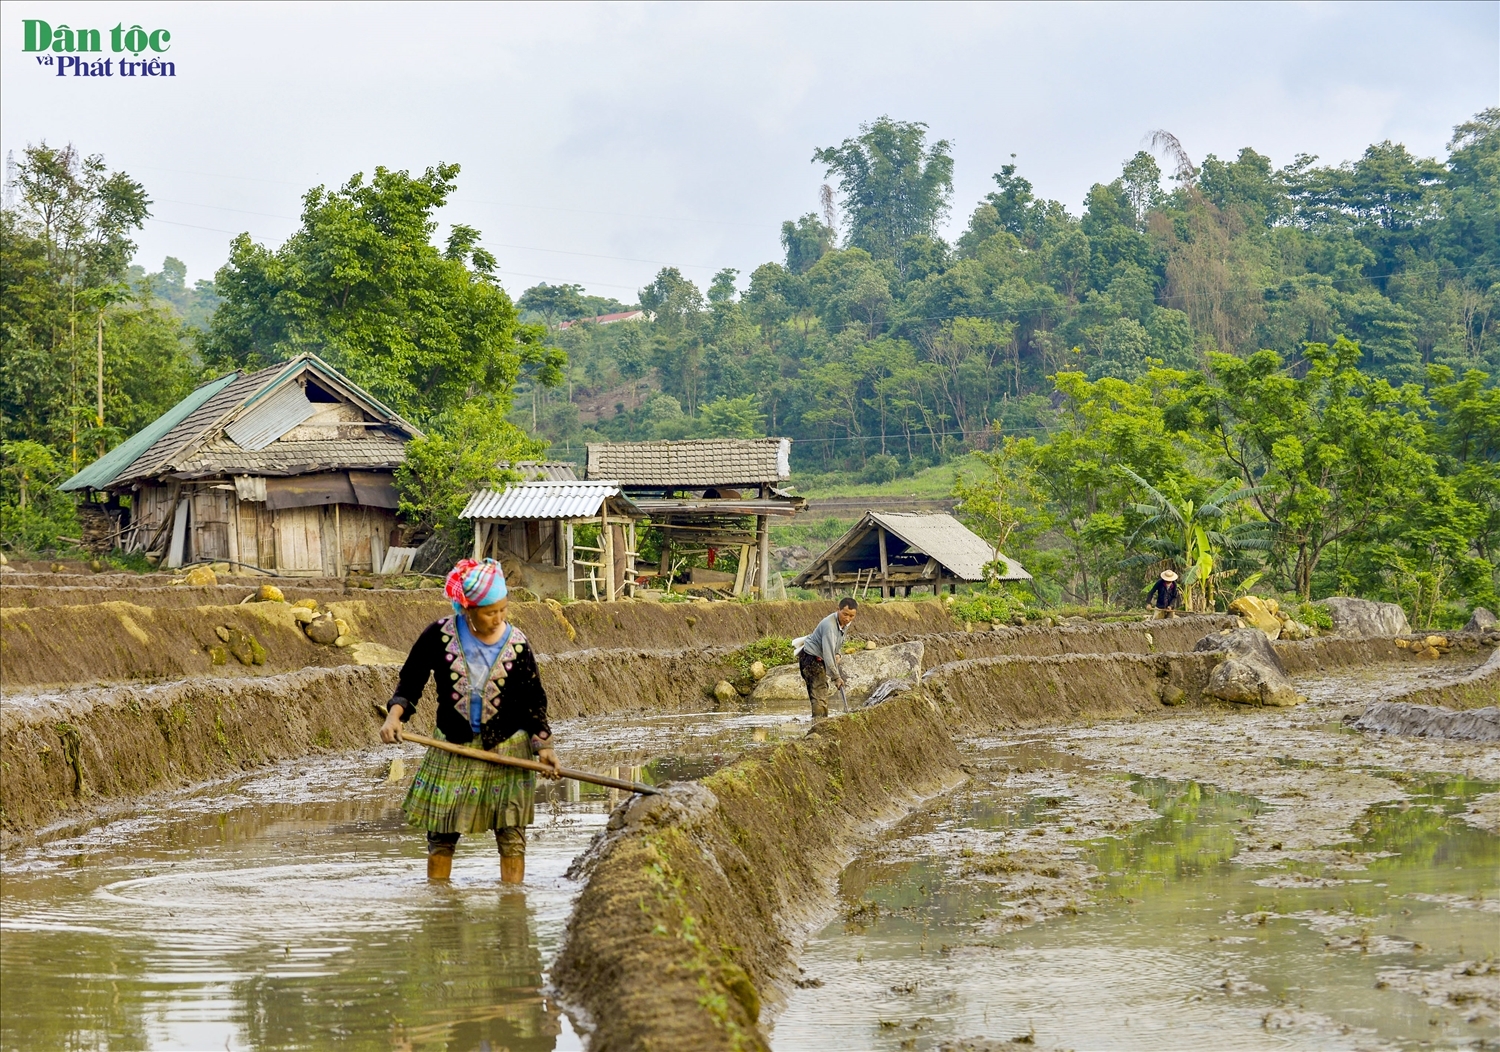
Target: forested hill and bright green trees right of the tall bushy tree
{"points": [[1108, 364]]}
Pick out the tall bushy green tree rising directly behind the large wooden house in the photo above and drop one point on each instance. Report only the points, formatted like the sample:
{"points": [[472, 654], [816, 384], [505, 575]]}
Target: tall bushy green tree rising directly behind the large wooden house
{"points": [[362, 286]]}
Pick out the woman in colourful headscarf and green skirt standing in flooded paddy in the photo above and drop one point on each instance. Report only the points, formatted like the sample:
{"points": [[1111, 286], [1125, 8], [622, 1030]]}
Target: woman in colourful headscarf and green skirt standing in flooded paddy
{"points": [[488, 690]]}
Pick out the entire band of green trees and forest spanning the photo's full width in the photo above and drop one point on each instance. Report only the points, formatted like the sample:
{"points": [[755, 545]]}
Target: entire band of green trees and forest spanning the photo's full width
{"points": [[1267, 377]]}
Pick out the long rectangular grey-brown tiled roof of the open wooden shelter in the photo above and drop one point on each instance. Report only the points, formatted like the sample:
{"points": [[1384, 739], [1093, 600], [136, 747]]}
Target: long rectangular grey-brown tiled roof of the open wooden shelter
{"points": [[692, 464]]}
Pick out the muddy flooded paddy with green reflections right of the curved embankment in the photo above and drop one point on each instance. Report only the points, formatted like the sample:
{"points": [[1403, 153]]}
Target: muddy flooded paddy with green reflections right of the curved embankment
{"points": [[1213, 880]]}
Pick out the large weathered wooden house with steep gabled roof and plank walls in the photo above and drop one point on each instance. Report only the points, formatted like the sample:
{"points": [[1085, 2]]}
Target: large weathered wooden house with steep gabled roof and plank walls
{"points": [[289, 469]]}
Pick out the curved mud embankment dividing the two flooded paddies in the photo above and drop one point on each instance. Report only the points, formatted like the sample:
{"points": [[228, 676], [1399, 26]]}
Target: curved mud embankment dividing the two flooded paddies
{"points": [[694, 903]]}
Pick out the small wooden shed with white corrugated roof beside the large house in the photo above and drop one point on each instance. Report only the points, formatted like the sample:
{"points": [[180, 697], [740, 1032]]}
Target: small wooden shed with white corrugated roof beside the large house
{"points": [[529, 528]]}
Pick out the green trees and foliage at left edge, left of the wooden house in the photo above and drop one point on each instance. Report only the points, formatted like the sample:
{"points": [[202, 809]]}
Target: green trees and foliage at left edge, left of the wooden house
{"points": [[89, 356]]}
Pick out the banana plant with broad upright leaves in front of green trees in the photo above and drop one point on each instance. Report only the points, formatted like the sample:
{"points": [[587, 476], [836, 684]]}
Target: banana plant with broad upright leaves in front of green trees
{"points": [[1186, 537]]}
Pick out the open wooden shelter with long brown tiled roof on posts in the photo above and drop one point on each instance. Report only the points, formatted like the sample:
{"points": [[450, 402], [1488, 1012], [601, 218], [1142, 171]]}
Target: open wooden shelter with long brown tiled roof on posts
{"points": [[706, 493]]}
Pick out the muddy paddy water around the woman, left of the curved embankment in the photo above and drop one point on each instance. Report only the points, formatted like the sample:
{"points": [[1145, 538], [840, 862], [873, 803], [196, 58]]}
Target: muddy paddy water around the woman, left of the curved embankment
{"points": [[289, 910]]}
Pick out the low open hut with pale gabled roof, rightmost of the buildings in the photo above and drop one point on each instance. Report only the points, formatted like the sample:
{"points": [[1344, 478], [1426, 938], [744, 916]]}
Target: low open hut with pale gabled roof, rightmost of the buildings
{"points": [[902, 550]]}
